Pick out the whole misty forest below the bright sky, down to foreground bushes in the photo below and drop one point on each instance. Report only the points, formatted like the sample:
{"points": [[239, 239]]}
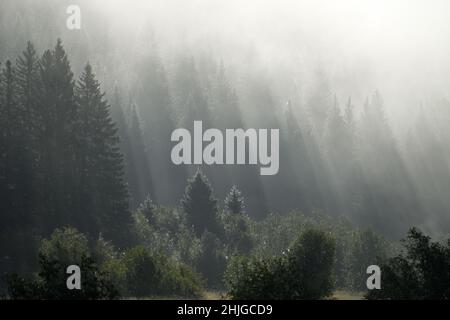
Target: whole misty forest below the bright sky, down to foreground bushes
{"points": [[87, 178]]}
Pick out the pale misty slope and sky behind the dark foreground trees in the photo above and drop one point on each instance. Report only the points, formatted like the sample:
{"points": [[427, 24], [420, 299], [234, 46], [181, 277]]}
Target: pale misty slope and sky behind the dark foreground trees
{"points": [[359, 90]]}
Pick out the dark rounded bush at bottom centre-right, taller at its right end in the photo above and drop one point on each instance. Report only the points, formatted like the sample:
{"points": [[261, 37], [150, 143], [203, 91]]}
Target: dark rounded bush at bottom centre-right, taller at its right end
{"points": [[305, 272]]}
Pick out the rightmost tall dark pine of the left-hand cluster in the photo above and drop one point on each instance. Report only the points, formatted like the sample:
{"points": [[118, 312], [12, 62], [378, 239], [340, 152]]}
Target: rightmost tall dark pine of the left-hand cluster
{"points": [[102, 162]]}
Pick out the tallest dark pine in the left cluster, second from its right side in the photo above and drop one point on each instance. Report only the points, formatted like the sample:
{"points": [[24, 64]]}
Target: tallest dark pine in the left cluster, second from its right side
{"points": [[56, 140]]}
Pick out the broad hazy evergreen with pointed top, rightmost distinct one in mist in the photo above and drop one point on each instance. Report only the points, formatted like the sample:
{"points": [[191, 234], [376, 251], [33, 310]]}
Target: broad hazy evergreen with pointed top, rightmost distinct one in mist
{"points": [[384, 176]]}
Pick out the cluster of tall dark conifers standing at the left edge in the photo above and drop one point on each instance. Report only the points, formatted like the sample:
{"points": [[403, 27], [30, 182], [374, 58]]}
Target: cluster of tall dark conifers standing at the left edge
{"points": [[60, 161]]}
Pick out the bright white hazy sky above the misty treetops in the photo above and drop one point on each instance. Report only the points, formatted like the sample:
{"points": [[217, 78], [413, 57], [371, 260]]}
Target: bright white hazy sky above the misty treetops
{"points": [[400, 47]]}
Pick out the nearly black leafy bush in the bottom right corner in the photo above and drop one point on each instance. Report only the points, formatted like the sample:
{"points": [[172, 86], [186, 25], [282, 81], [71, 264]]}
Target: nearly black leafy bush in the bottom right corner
{"points": [[419, 273]]}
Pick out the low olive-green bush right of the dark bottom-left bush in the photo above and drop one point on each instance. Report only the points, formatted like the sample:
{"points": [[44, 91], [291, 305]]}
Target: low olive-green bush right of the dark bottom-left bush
{"points": [[151, 274]]}
